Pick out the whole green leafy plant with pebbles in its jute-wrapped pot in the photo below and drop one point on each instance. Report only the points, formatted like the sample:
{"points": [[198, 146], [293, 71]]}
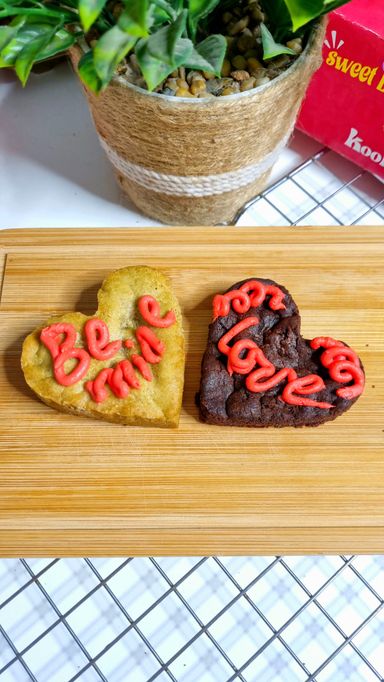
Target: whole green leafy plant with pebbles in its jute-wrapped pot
{"points": [[193, 100]]}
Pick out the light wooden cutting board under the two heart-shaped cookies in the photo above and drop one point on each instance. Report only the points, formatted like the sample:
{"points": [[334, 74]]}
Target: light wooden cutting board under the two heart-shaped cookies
{"points": [[71, 486]]}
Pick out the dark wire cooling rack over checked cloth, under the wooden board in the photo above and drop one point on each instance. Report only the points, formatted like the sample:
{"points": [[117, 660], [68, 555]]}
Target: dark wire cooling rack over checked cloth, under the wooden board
{"points": [[253, 619]]}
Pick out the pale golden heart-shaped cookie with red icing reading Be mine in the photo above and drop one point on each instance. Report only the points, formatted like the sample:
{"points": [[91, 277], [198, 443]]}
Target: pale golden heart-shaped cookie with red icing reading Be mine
{"points": [[125, 364]]}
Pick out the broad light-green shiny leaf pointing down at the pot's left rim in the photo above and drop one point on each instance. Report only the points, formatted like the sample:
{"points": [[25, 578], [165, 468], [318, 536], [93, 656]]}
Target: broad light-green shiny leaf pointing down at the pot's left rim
{"points": [[109, 50]]}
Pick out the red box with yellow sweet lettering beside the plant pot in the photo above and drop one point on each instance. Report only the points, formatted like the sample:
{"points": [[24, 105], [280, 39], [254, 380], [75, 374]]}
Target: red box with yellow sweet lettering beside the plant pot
{"points": [[344, 106]]}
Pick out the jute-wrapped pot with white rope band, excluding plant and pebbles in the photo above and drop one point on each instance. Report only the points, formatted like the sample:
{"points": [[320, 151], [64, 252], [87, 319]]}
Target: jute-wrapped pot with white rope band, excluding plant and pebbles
{"points": [[195, 161]]}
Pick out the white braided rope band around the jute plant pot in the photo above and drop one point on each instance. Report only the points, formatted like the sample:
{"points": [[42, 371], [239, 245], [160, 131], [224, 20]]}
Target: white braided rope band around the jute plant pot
{"points": [[193, 185]]}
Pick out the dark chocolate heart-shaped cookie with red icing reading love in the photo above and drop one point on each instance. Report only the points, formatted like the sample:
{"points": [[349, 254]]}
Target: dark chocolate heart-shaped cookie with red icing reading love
{"points": [[258, 370]]}
